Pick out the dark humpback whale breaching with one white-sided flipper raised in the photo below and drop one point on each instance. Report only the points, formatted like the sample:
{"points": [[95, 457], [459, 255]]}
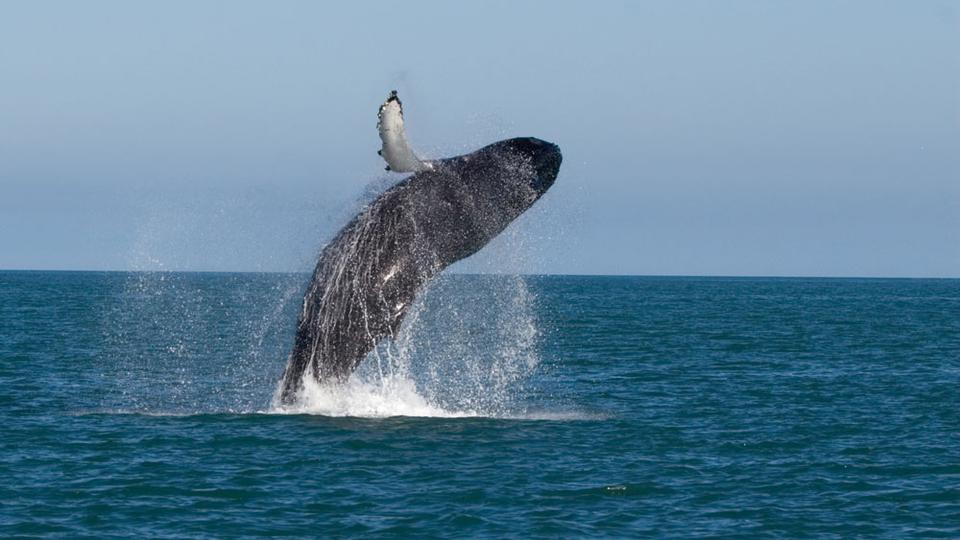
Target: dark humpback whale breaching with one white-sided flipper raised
{"points": [[369, 274]]}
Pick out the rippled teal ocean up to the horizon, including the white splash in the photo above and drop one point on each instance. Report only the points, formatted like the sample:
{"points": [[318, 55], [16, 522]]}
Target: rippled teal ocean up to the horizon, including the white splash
{"points": [[141, 405]]}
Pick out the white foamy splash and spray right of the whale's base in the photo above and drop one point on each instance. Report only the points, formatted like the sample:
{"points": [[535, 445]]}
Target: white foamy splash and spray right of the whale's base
{"points": [[466, 349]]}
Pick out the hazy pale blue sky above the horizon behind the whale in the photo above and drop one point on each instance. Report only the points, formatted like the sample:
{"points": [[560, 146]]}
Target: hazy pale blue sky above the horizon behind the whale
{"points": [[752, 138]]}
